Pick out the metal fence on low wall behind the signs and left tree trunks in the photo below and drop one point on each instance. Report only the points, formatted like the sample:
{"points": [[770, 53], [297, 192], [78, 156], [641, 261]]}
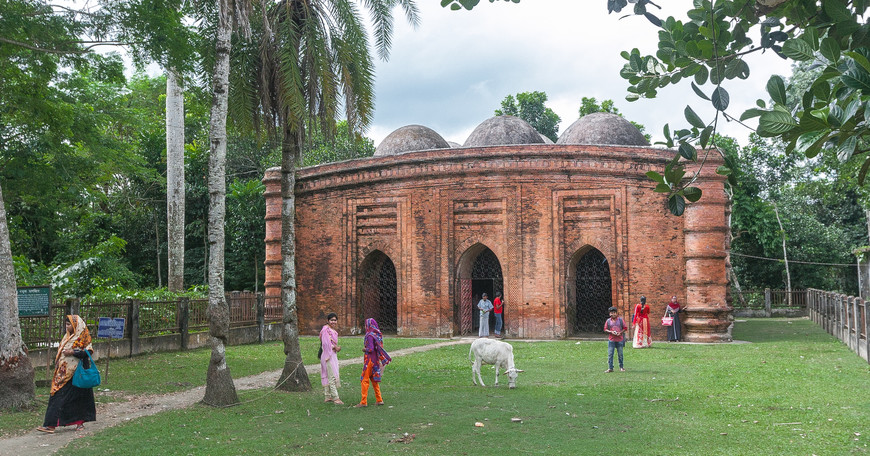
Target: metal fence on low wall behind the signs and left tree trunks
{"points": [[145, 318]]}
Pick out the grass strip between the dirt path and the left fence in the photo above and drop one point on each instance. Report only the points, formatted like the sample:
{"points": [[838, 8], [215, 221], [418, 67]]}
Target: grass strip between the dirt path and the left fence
{"points": [[177, 371]]}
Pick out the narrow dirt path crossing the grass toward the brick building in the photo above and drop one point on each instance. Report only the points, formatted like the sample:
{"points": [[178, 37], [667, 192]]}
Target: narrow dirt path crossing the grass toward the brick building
{"points": [[108, 415]]}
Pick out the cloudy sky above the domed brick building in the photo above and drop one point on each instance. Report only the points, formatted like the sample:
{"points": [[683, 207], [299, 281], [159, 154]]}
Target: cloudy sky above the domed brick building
{"points": [[452, 71]]}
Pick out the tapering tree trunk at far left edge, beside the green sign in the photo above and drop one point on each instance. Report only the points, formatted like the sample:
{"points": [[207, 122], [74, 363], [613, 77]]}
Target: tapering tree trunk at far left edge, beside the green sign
{"points": [[16, 372]]}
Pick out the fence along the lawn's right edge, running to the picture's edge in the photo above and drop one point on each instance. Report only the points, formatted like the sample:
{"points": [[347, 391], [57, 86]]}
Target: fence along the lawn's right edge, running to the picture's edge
{"points": [[844, 317]]}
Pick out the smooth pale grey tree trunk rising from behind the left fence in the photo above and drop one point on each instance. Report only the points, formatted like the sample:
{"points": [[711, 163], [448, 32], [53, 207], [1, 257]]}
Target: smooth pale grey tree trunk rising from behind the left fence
{"points": [[174, 181]]}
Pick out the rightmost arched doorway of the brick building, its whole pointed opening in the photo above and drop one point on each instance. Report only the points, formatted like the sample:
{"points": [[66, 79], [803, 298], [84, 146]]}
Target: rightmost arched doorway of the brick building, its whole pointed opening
{"points": [[589, 292]]}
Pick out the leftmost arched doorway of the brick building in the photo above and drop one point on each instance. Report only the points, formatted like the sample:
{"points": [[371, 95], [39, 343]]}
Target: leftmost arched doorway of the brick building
{"points": [[378, 292]]}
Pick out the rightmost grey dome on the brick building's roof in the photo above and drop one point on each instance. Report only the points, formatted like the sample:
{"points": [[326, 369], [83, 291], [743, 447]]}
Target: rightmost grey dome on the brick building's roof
{"points": [[603, 128]]}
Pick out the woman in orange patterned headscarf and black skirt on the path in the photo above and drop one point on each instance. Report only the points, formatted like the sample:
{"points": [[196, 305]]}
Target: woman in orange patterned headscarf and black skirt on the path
{"points": [[68, 404]]}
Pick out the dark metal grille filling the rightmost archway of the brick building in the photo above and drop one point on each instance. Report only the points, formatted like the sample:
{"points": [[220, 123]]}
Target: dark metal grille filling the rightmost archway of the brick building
{"points": [[593, 293]]}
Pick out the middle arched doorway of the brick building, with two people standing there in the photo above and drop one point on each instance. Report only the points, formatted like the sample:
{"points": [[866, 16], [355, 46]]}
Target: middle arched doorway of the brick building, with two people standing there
{"points": [[479, 272]]}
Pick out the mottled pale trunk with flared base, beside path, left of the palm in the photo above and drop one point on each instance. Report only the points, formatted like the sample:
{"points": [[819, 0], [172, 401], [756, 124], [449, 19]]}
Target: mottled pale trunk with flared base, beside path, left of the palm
{"points": [[219, 387]]}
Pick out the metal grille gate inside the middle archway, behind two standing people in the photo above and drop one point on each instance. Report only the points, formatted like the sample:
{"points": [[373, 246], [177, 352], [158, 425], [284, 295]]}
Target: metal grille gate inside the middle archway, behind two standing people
{"points": [[486, 277]]}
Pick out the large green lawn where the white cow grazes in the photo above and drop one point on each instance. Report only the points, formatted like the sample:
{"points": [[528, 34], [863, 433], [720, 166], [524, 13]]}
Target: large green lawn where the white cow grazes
{"points": [[794, 390]]}
